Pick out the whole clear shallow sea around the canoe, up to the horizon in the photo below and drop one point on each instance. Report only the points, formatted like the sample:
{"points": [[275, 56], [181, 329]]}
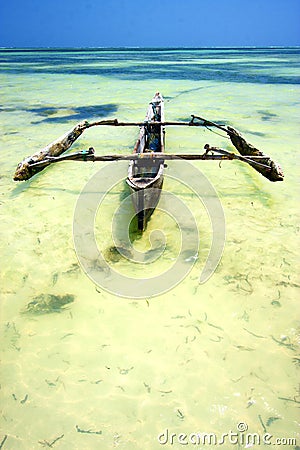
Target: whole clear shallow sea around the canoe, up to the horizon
{"points": [[200, 357]]}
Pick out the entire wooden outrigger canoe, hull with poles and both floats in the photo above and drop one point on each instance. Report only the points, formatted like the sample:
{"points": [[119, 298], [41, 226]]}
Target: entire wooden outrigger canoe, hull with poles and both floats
{"points": [[146, 164]]}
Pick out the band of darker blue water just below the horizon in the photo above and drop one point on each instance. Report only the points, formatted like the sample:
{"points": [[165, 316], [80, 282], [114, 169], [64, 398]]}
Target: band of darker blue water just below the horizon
{"points": [[258, 65]]}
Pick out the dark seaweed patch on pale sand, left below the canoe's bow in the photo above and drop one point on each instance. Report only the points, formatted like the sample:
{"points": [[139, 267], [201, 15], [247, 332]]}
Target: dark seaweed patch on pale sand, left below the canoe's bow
{"points": [[48, 303]]}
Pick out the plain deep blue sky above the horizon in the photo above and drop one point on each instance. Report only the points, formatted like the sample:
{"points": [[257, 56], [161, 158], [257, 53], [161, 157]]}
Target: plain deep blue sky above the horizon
{"points": [[152, 23]]}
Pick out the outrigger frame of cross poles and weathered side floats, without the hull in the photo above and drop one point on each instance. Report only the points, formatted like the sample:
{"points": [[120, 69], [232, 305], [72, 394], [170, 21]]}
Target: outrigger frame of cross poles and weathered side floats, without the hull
{"points": [[50, 154]]}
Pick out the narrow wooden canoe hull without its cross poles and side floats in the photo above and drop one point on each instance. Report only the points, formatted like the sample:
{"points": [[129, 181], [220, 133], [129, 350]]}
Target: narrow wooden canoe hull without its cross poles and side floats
{"points": [[145, 175]]}
